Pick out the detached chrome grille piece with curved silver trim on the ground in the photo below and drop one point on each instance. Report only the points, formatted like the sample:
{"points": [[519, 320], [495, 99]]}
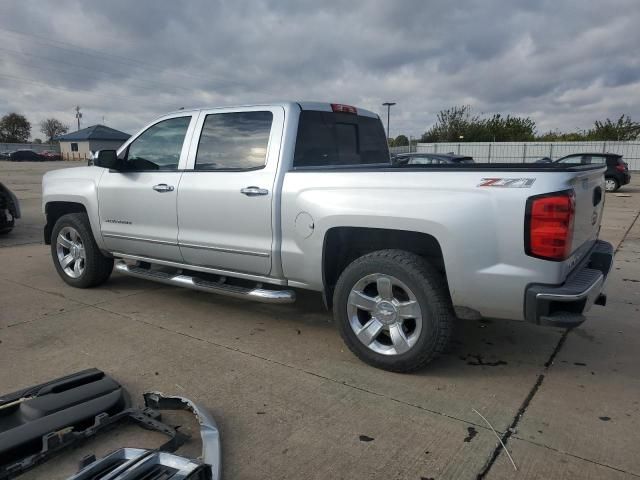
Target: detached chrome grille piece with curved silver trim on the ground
{"points": [[139, 464]]}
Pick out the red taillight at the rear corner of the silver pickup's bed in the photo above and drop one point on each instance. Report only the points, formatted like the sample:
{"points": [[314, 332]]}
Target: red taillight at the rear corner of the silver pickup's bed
{"points": [[549, 225]]}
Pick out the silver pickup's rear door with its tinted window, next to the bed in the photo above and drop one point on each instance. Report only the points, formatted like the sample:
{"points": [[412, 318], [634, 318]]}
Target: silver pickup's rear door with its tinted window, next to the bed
{"points": [[226, 194]]}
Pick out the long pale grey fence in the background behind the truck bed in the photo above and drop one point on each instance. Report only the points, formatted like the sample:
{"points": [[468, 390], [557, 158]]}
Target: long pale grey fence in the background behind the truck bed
{"points": [[523, 152]]}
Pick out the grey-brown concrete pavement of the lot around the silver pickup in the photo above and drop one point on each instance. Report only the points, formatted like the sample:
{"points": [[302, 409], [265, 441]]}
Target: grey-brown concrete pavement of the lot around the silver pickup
{"points": [[293, 402]]}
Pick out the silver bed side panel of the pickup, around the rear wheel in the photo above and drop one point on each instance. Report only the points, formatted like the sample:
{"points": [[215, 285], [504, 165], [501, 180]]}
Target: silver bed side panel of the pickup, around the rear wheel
{"points": [[480, 229]]}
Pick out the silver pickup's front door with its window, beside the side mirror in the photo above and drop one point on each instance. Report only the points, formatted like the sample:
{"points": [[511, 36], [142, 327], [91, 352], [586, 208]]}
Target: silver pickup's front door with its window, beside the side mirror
{"points": [[137, 202]]}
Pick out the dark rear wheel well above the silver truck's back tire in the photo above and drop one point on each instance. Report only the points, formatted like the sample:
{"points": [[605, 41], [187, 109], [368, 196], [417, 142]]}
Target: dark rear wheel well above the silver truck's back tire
{"points": [[343, 245]]}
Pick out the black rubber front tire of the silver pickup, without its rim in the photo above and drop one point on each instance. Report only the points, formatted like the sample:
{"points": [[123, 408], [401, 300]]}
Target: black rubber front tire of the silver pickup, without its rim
{"points": [[97, 267]]}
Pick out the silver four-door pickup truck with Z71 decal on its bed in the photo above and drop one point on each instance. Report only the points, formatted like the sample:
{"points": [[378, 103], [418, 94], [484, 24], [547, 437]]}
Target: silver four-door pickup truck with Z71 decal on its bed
{"points": [[256, 201]]}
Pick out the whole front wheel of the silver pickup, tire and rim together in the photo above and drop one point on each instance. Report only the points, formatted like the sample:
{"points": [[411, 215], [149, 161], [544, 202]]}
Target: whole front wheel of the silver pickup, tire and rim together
{"points": [[75, 253]]}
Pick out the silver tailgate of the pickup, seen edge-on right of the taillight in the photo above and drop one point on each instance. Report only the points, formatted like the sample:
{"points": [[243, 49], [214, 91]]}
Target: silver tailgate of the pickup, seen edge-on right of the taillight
{"points": [[589, 190]]}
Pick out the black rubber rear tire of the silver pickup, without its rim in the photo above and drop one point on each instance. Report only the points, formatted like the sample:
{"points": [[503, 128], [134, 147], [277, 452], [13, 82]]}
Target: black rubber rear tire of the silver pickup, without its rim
{"points": [[430, 290]]}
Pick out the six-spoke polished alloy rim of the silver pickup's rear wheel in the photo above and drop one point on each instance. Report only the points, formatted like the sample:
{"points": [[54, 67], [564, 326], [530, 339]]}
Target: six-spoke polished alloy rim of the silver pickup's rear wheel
{"points": [[384, 314]]}
